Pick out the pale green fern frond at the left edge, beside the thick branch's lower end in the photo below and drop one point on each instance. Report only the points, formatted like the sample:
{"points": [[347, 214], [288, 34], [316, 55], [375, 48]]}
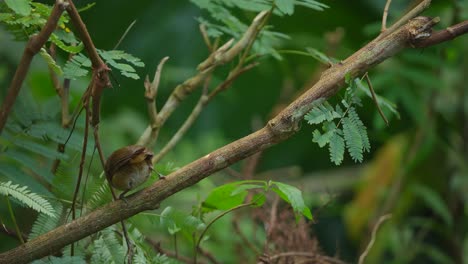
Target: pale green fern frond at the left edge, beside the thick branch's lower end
{"points": [[25, 197]]}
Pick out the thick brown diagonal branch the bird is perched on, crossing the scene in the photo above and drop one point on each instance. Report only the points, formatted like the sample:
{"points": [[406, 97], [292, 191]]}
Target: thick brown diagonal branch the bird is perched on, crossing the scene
{"points": [[278, 129]]}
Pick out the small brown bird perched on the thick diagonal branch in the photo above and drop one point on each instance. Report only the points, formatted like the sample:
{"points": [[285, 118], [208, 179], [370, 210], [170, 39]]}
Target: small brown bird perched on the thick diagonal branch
{"points": [[128, 167]]}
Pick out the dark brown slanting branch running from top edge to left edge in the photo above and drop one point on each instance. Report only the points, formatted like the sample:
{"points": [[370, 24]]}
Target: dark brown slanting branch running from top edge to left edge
{"points": [[33, 46]]}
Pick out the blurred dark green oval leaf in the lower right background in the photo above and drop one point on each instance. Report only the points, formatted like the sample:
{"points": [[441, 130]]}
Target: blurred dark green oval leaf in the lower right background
{"points": [[434, 201]]}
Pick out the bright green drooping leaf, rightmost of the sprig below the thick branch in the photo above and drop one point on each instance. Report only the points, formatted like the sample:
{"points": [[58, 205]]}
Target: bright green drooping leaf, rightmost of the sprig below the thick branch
{"points": [[293, 196]]}
